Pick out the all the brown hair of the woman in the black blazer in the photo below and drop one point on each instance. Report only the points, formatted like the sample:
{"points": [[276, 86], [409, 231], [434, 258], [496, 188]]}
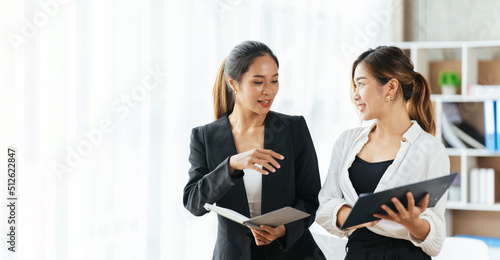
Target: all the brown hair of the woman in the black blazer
{"points": [[234, 66]]}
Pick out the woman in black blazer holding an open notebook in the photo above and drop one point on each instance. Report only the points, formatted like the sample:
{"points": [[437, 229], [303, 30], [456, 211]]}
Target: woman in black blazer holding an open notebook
{"points": [[247, 135]]}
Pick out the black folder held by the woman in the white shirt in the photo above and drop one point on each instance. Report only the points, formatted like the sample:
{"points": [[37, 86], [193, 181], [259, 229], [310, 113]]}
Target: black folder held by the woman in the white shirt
{"points": [[370, 203]]}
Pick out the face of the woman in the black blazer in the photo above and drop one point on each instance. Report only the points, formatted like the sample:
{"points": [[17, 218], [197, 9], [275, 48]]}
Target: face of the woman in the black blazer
{"points": [[258, 86]]}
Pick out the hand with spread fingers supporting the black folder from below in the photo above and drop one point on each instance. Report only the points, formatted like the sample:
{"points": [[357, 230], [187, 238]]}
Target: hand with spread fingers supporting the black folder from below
{"points": [[409, 217]]}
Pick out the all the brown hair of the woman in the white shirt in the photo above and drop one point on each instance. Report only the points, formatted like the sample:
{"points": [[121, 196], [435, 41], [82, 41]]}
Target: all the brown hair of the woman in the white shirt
{"points": [[387, 62]]}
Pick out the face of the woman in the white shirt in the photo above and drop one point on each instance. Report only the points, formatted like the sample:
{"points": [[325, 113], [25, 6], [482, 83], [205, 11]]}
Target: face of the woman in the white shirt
{"points": [[370, 97]]}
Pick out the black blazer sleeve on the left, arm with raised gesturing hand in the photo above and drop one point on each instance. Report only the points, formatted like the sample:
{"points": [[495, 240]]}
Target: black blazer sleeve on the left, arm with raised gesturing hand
{"points": [[204, 185]]}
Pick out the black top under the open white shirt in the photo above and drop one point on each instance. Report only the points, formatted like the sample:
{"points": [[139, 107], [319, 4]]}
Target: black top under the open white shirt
{"points": [[365, 176]]}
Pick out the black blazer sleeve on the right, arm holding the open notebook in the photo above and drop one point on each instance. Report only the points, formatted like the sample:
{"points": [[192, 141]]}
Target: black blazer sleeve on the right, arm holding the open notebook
{"points": [[307, 182]]}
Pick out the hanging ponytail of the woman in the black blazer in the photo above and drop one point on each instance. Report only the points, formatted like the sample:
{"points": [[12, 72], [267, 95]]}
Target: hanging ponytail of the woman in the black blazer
{"points": [[223, 94]]}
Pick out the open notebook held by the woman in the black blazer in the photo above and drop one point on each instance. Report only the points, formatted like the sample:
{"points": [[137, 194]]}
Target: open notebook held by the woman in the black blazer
{"points": [[274, 218]]}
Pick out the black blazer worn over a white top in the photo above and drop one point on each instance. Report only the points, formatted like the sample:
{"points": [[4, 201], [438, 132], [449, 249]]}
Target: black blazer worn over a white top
{"points": [[295, 184]]}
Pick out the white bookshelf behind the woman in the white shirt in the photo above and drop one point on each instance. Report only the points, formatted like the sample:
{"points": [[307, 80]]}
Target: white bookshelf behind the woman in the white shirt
{"points": [[476, 62]]}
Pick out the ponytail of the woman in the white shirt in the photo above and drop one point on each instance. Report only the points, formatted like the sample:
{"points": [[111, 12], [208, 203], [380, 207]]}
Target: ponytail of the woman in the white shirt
{"points": [[420, 105]]}
